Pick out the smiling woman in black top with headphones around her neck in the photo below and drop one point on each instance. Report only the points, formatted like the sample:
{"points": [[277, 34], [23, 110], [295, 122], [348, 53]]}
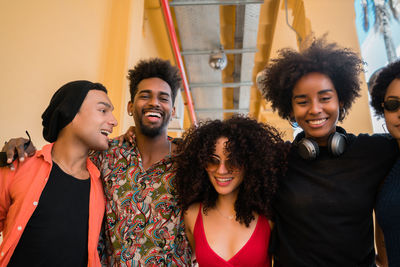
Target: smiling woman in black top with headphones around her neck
{"points": [[323, 208]]}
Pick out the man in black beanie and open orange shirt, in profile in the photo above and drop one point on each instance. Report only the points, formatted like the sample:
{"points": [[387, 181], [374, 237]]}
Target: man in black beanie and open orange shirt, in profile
{"points": [[52, 205]]}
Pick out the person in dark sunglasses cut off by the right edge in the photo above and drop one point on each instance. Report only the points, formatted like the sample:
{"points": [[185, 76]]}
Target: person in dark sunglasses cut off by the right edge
{"points": [[386, 103]]}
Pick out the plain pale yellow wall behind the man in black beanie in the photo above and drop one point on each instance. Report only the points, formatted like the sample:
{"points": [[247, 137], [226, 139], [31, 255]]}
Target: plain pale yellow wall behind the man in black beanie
{"points": [[45, 44]]}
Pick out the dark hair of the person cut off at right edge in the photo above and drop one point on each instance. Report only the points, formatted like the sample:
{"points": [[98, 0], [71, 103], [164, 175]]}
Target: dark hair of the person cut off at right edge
{"points": [[385, 77]]}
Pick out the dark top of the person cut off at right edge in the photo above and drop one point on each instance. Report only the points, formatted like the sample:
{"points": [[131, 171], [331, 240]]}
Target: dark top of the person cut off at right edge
{"points": [[388, 214]]}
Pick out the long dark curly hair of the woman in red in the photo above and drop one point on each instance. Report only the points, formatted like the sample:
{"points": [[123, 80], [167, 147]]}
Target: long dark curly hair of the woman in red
{"points": [[256, 147]]}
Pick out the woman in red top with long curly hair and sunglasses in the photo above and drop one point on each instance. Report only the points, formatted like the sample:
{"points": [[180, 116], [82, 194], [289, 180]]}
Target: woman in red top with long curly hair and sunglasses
{"points": [[226, 178]]}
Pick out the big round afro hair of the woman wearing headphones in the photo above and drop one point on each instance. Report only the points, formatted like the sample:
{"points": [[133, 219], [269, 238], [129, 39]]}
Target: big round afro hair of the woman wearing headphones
{"points": [[341, 65]]}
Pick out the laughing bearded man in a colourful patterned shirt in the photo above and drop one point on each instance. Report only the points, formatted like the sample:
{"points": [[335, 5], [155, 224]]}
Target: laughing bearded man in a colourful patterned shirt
{"points": [[143, 224]]}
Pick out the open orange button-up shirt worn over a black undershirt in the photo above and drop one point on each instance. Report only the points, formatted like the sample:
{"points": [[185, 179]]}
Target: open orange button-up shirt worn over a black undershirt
{"points": [[20, 191]]}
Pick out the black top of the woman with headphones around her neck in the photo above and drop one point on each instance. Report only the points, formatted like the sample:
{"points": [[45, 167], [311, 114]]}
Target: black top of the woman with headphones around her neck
{"points": [[324, 207]]}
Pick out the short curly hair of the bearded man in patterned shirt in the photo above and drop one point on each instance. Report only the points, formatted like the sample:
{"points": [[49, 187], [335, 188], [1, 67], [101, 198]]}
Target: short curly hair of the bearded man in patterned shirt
{"points": [[155, 68]]}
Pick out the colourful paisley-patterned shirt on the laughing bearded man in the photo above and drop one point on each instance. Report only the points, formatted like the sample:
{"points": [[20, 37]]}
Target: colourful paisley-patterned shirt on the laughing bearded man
{"points": [[143, 224]]}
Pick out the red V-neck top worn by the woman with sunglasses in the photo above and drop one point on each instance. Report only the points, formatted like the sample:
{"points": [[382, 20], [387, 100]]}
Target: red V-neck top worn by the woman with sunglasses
{"points": [[253, 253]]}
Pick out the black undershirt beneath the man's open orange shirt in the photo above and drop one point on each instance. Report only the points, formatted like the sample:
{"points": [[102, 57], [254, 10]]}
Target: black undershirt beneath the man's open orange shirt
{"points": [[57, 232]]}
